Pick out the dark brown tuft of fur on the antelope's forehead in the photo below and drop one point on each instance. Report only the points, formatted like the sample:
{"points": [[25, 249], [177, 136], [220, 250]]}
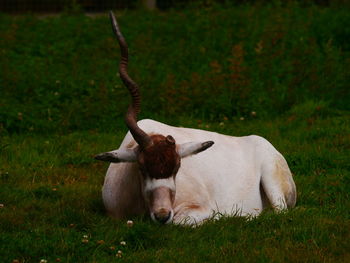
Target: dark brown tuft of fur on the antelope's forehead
{"points": [[161, 159]]}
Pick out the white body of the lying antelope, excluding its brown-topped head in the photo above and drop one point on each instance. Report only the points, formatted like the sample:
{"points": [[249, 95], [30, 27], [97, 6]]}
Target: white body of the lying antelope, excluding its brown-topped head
{"points": [[236, 176]]}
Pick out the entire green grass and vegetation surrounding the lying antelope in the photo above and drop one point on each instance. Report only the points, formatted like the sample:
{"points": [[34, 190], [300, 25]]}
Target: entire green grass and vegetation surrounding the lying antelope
{"points": [[279, 72]]}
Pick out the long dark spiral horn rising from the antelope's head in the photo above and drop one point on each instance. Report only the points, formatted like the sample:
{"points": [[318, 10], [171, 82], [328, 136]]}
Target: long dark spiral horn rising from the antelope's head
{"points": [[139, 135]]}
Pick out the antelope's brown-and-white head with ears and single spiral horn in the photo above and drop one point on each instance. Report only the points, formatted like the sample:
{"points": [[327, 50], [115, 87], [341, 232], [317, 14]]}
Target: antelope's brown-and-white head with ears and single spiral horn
{"points": [[157, 156]]}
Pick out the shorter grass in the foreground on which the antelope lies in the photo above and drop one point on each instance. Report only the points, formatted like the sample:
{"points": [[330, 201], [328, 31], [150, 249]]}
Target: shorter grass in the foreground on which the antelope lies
{"points": [[51, 192]]}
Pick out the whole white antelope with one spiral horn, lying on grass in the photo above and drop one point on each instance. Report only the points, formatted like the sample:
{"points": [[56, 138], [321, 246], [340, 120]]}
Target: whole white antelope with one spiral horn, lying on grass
{"points": [[186, 175]]}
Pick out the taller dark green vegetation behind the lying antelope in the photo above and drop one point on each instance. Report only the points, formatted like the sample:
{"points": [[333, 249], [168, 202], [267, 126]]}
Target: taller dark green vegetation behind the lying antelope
{"points": [[59, 74]]}
